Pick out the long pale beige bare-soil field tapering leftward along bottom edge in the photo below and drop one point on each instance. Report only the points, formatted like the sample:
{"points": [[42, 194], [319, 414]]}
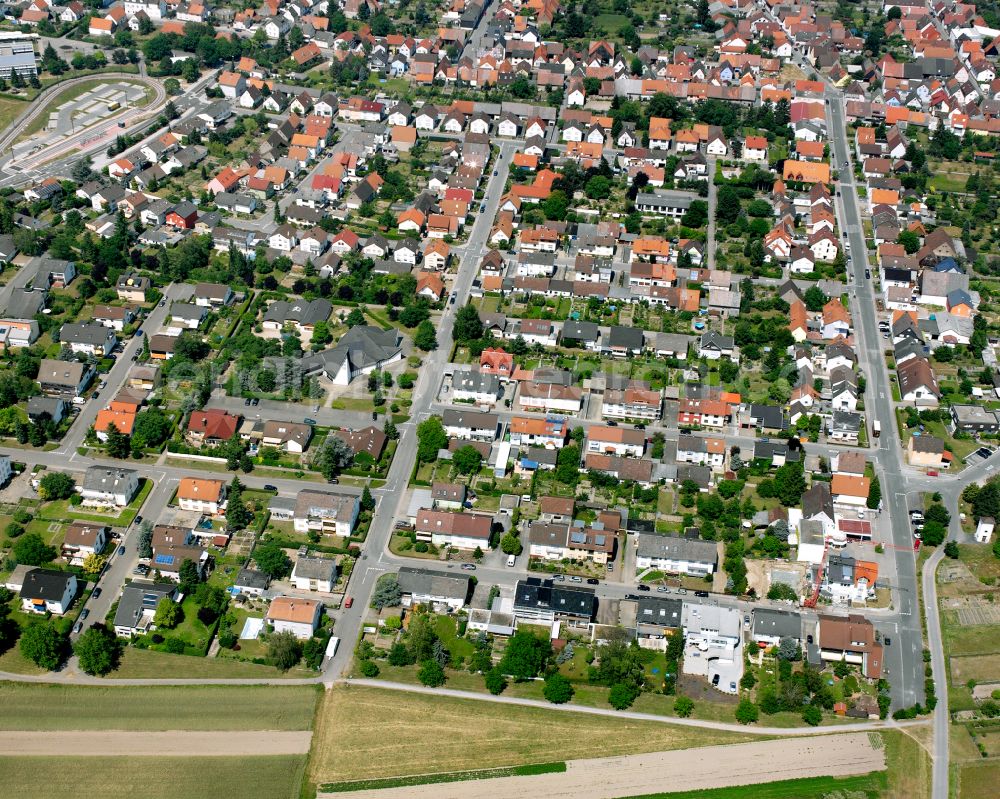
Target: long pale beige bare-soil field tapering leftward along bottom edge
{"points": [[683, 770]]}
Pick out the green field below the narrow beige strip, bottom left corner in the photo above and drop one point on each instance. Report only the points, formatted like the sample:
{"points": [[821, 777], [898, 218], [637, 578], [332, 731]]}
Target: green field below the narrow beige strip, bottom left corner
{"points": [[272, 777]]}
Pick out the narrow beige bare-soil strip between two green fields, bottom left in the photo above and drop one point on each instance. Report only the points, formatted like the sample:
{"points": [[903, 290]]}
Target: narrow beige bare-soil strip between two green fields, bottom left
{"points": [[118, 742]]}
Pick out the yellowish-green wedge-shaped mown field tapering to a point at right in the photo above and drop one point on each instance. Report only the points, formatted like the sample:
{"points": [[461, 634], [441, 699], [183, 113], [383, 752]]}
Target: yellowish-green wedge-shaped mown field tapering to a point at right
{"points": [[390, 730]]}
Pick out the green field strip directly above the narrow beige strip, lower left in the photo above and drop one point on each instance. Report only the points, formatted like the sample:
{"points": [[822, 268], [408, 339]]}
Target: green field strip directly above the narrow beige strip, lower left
{"points": [[203, 707]]}
